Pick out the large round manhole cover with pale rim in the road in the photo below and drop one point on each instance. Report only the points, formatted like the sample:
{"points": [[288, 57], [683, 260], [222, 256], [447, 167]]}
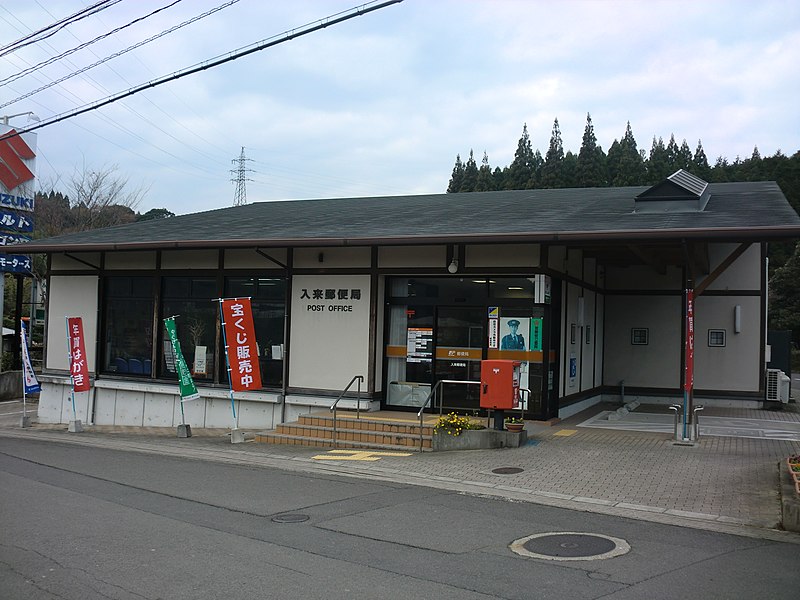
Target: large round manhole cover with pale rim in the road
{"points": [[570, 545]]}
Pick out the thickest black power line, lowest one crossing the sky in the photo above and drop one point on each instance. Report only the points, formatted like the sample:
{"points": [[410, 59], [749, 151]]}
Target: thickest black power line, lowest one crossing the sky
{"points": [[264, 44]]}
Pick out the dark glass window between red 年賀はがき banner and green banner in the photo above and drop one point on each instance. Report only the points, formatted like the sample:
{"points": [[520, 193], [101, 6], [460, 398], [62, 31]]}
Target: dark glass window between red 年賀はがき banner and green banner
{"points": [[129, 326]]}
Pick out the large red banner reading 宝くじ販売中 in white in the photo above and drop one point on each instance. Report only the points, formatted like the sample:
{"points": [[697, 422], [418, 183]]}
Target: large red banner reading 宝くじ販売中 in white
{"points": [[241, 347]]}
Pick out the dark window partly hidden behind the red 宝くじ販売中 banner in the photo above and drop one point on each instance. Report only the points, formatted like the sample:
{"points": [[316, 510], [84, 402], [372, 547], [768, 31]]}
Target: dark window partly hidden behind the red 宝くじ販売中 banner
{"points": [[268, 301]]}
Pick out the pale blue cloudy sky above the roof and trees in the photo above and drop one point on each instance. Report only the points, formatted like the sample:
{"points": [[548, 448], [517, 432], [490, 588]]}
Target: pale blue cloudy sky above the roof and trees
{"points": [[381, 104]]}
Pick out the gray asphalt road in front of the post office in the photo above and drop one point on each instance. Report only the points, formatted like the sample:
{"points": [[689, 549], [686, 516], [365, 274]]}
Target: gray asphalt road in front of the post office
{"points": [[83, 523]]}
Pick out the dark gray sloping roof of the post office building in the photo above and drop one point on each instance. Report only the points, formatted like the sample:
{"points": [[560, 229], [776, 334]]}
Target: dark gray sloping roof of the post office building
{"points": [[746, 211]]}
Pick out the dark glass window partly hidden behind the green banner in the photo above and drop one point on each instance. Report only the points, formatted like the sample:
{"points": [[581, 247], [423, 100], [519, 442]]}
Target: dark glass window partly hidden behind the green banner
{"points": [[192, 300]]}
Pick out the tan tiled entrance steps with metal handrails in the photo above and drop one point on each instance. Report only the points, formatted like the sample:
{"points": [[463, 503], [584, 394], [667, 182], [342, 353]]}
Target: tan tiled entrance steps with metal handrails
{"points": [[351, 432]]}
